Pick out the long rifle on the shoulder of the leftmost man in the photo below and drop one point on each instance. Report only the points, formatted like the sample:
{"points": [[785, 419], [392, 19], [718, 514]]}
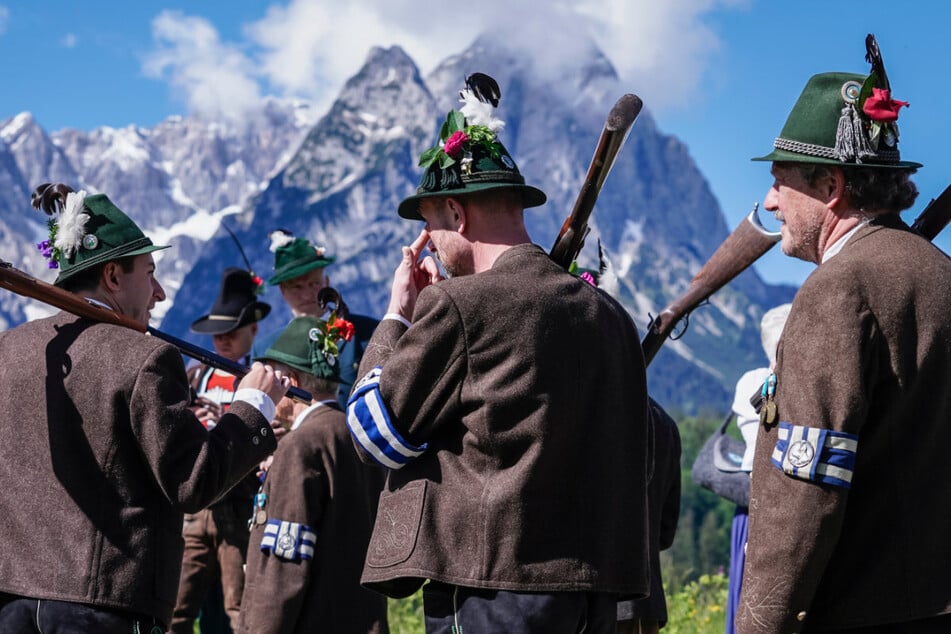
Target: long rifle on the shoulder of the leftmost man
{"points": [[20, 283]]}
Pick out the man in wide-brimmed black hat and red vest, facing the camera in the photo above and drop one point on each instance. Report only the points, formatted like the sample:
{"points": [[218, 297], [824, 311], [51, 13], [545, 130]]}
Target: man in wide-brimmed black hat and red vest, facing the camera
{"points": [[216, 538]]}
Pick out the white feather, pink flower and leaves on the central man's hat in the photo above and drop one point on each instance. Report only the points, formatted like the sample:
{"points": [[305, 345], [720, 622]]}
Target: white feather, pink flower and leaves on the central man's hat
{"points": [[474, 125]]}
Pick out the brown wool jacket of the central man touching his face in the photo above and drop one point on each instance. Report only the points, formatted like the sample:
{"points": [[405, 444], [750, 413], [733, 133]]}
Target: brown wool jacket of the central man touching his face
{"points": [[524, 389]]}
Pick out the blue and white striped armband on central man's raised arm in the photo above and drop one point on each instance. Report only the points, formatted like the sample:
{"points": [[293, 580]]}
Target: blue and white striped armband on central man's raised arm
{"points": [[369, 423]]}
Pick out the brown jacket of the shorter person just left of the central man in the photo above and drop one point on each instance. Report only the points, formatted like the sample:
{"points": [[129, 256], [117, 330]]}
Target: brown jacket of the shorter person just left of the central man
{"points": [[317, 481]]}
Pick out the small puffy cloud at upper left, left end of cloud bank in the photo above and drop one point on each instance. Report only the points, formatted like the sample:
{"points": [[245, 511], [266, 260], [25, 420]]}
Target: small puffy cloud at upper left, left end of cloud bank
{"points": [[214, 78]]}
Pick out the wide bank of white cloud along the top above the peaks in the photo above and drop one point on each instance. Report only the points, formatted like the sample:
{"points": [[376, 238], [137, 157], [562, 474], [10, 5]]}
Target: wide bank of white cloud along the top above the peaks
{"points": [[308, 48]]}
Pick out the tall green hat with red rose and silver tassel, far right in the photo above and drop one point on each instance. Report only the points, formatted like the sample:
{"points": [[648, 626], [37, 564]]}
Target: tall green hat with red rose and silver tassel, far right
{"points": [[844, 119]]}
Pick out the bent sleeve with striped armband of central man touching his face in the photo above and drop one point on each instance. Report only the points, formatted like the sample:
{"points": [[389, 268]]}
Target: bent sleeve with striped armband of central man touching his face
{"points": [[412, 380]]}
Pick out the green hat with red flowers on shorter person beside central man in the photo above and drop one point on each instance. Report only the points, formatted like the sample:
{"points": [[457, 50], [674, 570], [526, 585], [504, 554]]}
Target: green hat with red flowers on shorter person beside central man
{"points": [[310, 344]]}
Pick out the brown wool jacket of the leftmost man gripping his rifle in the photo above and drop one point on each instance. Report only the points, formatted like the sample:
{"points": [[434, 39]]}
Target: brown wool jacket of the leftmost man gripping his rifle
{"points": [[101, 457]]}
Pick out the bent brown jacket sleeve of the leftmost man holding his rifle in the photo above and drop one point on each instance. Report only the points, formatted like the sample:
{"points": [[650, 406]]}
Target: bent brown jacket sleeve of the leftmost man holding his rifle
{"points": [[192, 466]]}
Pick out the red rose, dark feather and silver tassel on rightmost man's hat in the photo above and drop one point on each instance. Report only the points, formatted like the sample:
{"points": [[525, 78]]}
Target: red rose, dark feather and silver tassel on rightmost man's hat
{"points": [[868, 127]]}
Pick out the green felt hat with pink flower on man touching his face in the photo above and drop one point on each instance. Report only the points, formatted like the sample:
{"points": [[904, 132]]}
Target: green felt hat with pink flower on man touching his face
{"points": [[467, 159]]}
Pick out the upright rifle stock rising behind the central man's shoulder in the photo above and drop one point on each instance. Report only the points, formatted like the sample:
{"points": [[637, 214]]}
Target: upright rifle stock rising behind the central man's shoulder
{"points": [[570, 239]]}
